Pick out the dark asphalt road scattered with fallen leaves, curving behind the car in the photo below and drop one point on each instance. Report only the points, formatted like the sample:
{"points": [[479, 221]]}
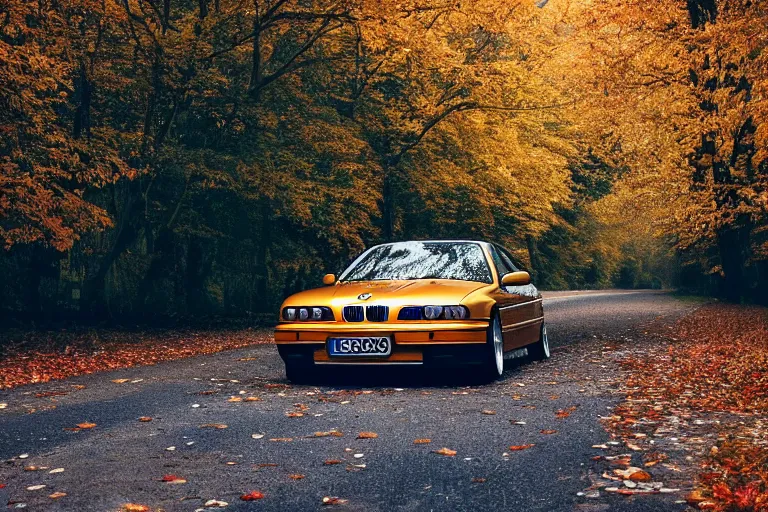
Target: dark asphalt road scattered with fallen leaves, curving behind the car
{"points": [[122, 460]]}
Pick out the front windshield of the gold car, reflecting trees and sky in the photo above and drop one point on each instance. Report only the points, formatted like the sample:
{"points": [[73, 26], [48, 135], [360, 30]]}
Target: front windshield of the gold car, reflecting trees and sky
{"points": [[463, 261]]}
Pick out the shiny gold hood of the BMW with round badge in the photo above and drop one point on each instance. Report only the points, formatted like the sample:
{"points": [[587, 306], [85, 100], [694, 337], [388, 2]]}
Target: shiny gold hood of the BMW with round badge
{"points": [[419, 292]]}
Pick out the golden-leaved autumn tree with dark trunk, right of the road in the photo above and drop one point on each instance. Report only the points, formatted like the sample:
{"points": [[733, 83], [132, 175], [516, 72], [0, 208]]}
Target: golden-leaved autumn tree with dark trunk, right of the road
{"points": [[682, 86]]}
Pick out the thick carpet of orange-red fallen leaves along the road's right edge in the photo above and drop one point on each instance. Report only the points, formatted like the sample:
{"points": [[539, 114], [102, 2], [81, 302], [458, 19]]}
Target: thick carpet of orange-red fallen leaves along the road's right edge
{"points": [[717, 362]]}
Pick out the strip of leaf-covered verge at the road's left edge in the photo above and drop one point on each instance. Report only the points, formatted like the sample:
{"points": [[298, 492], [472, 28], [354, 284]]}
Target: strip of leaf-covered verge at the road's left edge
{"points": [[42, 356]]}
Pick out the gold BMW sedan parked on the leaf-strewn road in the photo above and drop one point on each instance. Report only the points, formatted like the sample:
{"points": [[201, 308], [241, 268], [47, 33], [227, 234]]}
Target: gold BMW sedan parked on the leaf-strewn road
{"points": [[439, 304]]}
